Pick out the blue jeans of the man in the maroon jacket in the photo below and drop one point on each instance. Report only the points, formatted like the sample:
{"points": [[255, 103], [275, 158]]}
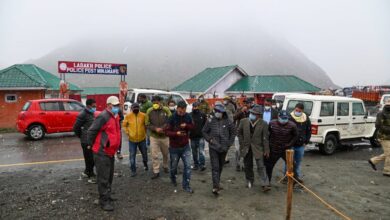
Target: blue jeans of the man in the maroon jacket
{"points": [[185, 154]]}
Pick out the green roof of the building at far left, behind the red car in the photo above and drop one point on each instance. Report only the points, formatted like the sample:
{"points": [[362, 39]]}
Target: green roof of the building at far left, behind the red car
{"points": [[29, 75]]}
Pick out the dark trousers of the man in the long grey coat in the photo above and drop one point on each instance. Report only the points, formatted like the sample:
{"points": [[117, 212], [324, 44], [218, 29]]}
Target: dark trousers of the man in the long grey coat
{"points": [[248, 167]]}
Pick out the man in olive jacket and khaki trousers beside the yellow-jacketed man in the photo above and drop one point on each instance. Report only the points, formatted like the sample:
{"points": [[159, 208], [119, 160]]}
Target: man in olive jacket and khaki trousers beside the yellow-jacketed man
{"points": [[156, 121]]}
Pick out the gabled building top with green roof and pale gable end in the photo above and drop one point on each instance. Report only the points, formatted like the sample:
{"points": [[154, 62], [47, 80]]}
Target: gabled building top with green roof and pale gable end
{"points": [[211, 81]]}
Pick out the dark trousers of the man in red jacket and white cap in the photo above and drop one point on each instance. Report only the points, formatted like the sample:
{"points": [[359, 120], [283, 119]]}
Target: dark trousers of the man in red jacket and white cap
{"points": [[105, 174]]}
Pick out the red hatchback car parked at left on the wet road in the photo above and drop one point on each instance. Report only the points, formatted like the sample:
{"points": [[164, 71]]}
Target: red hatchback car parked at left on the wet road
{"points": [[47, 116]]}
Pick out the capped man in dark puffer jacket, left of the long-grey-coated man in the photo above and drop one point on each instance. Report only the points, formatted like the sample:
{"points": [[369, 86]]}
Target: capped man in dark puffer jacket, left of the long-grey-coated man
{"points": [[220, 132]]}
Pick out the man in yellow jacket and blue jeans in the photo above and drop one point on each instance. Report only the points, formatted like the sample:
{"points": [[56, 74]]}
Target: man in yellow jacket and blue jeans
{"points": [[134, 126]]}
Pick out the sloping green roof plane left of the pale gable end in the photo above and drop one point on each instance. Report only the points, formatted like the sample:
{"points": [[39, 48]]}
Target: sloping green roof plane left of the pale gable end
{"points": [[204, 80]]}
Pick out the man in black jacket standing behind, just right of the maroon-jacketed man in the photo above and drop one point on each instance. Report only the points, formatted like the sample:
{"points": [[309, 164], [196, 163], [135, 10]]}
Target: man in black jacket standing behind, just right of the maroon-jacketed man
{"points": [[197, 141]]}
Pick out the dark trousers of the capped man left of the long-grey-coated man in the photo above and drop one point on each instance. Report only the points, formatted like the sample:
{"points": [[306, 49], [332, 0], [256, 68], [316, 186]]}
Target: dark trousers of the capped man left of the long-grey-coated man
{"points": [[217, 160]]}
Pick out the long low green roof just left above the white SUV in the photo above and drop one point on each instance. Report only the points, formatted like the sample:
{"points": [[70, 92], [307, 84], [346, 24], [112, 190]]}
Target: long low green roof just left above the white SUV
{"points": [[272, 84]]}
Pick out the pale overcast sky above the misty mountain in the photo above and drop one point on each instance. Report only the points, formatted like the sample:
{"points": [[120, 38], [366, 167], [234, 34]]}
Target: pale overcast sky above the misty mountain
{"points": [[349, 39]]}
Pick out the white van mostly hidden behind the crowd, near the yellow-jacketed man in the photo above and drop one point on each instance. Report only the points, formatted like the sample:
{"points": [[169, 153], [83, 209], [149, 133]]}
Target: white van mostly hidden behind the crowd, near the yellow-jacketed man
{"points": [[132, 96]]}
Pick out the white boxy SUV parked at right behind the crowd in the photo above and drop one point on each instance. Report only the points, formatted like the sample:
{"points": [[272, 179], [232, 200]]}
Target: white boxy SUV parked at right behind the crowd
{"points": [[334, 120]]}
